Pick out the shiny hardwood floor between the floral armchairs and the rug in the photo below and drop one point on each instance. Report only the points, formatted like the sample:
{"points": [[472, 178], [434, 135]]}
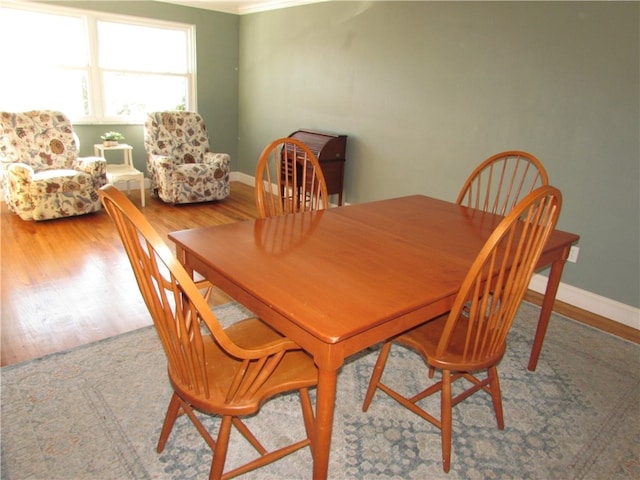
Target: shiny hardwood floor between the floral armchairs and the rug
{"points": [[68, 282]]}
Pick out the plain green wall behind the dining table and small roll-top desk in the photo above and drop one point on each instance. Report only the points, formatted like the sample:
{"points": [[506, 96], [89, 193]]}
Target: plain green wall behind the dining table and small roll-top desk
{"points": [[426, 90]]}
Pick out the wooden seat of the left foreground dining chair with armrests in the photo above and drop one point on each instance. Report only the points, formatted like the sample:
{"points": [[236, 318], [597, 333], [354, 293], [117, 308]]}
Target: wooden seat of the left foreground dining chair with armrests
{"points": [[296, 370]]}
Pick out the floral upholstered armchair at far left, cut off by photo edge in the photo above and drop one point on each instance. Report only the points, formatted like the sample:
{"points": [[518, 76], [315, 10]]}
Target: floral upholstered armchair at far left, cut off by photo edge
{"points": [[43, 177]]}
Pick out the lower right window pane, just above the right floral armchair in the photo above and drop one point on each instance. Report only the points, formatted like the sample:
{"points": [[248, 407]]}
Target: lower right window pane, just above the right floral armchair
{"points": [[134, 95]]}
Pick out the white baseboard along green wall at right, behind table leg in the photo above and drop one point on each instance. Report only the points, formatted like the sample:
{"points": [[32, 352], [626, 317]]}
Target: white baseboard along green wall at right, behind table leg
{"points": [[591, 302]]}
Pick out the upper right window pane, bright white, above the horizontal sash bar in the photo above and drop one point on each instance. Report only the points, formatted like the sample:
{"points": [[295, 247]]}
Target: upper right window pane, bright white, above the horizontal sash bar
{"points": [[159, 49]]}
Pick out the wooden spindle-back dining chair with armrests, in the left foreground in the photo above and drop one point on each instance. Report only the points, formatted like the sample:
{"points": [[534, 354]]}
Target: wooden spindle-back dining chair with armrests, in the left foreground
{"points": [[226, 372]]}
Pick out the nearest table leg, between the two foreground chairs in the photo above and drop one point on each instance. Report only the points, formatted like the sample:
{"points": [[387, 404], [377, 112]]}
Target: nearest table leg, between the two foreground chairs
{"points": [[325, 404]]}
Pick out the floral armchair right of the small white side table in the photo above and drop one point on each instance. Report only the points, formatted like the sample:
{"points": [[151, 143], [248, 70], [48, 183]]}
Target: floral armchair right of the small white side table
{"points": [[179, 163]]}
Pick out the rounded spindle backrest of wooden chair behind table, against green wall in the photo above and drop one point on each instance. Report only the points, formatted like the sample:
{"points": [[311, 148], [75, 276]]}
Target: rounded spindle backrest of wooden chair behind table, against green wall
{"points": [[502, 180]]}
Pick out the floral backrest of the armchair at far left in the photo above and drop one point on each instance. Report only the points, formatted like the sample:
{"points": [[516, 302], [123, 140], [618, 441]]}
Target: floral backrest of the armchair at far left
{"points": [[43, 139]]}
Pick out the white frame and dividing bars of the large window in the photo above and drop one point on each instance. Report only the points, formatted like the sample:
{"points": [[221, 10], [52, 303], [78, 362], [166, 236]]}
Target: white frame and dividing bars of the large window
{"points": [[96, 97]]}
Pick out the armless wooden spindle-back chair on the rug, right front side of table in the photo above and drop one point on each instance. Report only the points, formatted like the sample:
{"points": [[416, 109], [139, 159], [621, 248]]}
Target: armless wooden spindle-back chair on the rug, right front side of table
{"points": [[472, 337]]}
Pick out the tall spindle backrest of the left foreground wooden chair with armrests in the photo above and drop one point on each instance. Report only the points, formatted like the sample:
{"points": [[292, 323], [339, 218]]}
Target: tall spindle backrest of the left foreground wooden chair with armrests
{"points": [[176, 305]]}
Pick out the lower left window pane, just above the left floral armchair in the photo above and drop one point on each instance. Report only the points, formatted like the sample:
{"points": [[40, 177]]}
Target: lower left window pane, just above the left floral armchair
{"points": [[58, 89]]}
